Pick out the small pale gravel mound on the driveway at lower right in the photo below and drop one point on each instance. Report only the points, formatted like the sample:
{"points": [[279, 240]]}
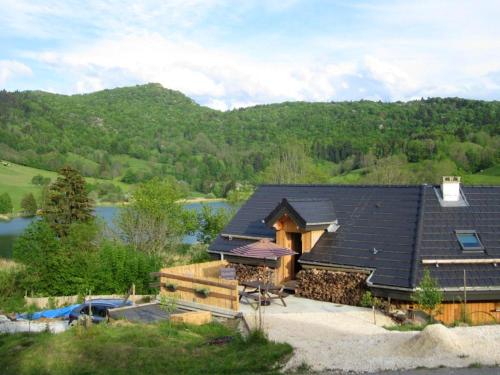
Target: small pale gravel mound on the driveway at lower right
{"points": [[435, 338]]}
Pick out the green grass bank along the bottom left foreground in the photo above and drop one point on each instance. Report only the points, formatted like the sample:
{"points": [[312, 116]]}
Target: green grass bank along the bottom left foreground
{"points": [[140, 349]]}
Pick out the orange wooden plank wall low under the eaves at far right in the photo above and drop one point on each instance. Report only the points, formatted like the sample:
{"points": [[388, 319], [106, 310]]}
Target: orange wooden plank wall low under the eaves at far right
{"points": [[477, 312]]}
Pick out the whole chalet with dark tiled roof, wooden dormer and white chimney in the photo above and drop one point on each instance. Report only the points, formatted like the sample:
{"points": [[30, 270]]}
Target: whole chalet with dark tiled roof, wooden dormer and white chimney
{"points": [[391, 233]]}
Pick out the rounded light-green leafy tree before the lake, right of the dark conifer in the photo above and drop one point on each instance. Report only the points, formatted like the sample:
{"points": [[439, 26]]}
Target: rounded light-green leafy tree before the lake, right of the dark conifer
{"points": [[155, 220]]}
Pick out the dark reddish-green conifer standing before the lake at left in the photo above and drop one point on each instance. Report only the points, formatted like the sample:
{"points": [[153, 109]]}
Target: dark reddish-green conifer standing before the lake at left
{"points": [[67, 201]]}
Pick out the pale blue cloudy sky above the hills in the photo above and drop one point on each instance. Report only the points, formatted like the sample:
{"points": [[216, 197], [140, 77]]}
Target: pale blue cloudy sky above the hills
{"points": [[228, 54]]}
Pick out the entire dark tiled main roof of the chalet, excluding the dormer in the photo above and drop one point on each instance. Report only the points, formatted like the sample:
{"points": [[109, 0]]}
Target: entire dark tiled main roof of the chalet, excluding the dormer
{"points": [[389, 229]]}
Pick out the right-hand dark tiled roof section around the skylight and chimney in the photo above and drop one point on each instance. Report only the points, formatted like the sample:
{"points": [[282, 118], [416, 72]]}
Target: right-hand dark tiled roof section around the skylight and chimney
{"points": [[438, 239]]}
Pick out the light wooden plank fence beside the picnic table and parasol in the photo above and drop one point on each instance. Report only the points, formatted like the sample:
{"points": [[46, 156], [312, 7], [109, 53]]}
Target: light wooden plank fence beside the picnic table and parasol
{"points": [[199, 283]]}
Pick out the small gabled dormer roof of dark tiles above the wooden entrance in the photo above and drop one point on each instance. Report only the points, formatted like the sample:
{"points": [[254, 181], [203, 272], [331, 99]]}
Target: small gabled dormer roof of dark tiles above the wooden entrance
{"points": [[306, 212]]}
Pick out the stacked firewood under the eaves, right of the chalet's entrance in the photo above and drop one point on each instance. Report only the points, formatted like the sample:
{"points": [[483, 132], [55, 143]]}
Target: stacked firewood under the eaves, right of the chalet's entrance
{"points": [[340, 287]]}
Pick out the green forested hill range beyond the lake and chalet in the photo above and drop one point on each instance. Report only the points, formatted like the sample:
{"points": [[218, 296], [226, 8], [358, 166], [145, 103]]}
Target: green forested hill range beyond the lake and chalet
{"points": [[134, 133]]}
